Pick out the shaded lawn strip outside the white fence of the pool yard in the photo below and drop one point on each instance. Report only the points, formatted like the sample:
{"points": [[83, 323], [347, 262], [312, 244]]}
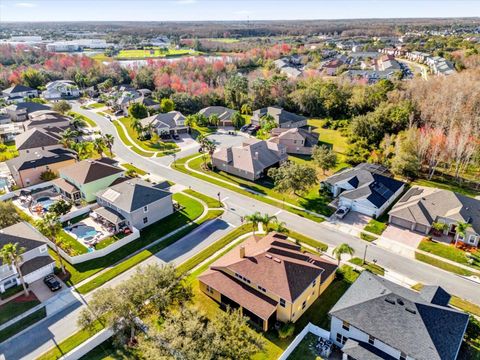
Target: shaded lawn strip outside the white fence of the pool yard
{"points": [[192, 209]]}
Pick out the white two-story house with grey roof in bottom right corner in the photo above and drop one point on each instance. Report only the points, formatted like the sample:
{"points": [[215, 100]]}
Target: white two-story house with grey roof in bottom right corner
{"points": [[378, 319]]}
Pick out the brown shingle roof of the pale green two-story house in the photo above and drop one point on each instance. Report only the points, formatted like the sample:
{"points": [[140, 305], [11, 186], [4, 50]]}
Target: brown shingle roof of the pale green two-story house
{"points": [[87, 171]]}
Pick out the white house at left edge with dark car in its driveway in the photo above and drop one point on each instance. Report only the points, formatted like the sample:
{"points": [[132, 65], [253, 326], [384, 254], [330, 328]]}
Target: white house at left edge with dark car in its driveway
{"points": [[35, 264]]}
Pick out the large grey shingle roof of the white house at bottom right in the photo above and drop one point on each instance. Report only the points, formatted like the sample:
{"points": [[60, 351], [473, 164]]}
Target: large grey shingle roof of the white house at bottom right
{"points": [[402, 318]]}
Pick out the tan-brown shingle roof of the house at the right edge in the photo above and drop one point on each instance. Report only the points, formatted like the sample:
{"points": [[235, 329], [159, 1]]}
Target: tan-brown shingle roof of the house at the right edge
{"points": [[424, 205]]}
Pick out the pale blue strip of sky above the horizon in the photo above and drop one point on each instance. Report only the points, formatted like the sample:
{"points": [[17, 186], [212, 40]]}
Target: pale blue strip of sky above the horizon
{"points": [[184, 10]]}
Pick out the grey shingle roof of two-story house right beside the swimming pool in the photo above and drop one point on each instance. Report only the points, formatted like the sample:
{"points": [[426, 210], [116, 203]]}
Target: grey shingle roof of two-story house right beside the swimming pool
{"points": [[133, 194]]}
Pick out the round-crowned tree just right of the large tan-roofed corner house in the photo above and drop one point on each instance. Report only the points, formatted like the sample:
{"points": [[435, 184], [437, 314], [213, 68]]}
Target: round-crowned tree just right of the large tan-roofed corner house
{"points": [[293, 177]]}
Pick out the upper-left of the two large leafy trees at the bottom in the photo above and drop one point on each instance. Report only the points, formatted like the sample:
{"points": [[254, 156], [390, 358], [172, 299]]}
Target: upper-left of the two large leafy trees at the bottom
{"points": [[151, 291]]}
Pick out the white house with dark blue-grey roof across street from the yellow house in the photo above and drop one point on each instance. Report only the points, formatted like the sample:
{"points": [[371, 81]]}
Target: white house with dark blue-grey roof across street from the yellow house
{"points": [[365, 189]]}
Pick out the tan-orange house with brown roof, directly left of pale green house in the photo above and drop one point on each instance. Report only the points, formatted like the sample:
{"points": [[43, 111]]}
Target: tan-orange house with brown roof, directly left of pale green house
{"points": [[27, 168]]}
